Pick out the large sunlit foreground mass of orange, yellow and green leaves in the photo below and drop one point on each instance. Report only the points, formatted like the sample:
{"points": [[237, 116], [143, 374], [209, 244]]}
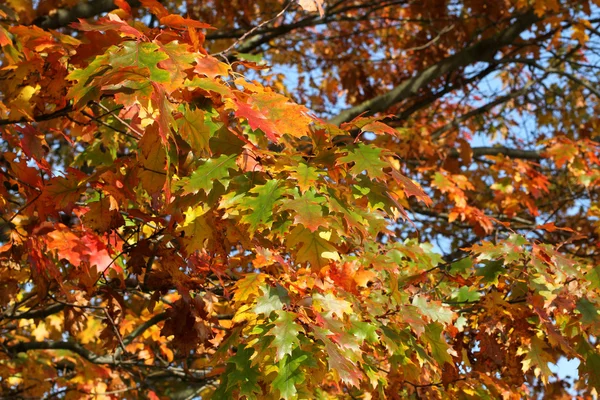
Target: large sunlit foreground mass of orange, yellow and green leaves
{"points": [[172, 228]]}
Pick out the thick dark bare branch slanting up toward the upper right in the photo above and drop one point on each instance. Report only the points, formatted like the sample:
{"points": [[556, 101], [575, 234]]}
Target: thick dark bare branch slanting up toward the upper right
{"points": [[481, 51]]}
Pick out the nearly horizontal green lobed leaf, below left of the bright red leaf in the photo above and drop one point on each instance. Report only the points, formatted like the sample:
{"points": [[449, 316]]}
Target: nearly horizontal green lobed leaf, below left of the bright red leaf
{"points": [[215, 169]]}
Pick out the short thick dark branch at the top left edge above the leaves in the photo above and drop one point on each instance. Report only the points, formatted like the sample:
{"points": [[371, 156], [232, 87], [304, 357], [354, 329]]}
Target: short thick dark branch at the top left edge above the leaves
{"points": [[84, 9]]}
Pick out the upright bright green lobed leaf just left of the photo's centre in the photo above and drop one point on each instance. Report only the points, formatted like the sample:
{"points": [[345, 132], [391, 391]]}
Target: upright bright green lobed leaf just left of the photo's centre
{"points": [[261, 206]]}
